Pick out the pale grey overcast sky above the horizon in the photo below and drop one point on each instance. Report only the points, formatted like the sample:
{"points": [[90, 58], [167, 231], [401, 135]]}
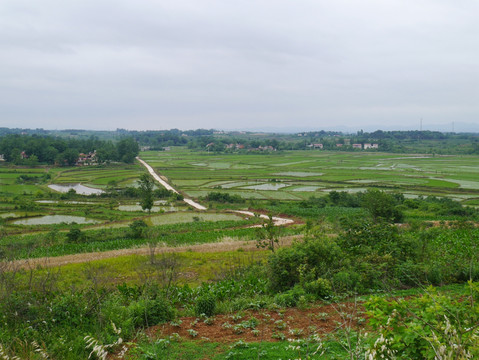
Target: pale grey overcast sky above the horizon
{"points": [[262, 64]]}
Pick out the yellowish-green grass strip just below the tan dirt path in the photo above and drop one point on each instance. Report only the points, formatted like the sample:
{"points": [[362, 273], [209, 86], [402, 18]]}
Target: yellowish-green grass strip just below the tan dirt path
{"points": [[192, 268]]}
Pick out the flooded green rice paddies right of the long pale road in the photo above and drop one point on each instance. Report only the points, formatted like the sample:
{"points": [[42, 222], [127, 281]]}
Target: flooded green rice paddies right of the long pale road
{"points": [[297, 175]]}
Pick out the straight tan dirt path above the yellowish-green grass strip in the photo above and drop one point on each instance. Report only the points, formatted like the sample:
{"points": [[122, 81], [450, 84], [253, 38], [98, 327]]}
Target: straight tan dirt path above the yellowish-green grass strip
{"points": [[222, 246]]}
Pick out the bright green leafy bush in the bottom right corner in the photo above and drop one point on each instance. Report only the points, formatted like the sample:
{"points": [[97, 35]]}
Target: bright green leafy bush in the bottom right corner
{"points": [[432, 326]]}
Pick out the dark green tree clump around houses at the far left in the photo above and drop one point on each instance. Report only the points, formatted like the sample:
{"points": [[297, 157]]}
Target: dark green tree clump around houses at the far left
{"points": [[39, 149]]}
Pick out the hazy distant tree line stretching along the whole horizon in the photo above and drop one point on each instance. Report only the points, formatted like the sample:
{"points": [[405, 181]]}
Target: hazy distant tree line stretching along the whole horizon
{"points": [[431, 142]]}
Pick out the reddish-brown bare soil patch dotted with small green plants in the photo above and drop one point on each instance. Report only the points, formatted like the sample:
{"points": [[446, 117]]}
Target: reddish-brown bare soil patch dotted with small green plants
{"points": [[270, 325]]}
